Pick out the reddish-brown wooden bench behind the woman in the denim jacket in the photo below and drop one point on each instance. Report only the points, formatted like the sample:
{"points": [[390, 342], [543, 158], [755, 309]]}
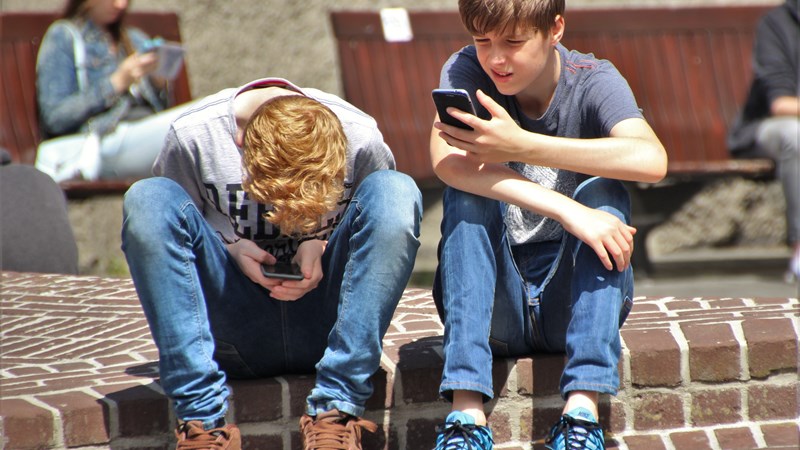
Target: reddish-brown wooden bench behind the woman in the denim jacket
{"points": [[20, 36]]}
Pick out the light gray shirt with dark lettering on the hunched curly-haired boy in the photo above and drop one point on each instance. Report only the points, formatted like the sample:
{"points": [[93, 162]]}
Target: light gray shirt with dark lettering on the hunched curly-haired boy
{"points": [[201, 155]]}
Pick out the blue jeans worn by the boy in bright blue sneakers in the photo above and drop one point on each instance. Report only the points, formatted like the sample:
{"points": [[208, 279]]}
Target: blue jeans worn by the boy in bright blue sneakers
{"points": [[501, 300]]}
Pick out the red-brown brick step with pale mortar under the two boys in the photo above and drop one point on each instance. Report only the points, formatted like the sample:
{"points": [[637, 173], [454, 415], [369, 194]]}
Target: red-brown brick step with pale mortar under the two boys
{"points": [[79, 369]]}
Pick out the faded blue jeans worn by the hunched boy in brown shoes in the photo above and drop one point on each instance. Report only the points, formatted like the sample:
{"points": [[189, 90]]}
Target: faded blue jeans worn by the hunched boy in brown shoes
{"points": [[208, 319]]}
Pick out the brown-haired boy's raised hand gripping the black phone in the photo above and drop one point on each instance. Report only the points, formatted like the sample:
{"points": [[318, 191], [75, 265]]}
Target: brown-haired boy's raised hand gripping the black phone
{"points": [[491, 141]]}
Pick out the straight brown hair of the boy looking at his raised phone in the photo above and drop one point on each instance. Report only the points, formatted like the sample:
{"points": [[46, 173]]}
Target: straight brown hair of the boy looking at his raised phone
{"points": [[482, 16]]}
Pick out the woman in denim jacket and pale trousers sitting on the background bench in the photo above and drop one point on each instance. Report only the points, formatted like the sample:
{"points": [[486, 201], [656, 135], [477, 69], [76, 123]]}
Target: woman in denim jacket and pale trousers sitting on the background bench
{"points": [[103, 109]]}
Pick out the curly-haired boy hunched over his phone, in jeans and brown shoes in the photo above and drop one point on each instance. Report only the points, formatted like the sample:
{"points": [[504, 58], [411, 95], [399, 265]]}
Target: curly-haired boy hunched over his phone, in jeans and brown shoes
{"points": [[251, 176]]}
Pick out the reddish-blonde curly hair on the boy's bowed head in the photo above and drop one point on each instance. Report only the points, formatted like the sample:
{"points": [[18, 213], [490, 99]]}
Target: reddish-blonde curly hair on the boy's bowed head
{"points": [[295, 159]]}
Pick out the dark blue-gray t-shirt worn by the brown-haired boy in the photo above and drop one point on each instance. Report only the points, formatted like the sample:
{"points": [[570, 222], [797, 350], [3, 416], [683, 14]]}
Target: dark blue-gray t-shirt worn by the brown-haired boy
{"points": [[591, 97]]}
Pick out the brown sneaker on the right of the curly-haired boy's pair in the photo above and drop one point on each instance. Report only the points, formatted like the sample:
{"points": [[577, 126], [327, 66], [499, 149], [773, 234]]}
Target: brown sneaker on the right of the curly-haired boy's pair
{"points": [[333, 430]]}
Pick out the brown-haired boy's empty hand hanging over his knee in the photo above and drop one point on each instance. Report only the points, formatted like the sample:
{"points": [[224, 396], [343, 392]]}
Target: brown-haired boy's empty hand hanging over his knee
{"points": [[608, 236]]}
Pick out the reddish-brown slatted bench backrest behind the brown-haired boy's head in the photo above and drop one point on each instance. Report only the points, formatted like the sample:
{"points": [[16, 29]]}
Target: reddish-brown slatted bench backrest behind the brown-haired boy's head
{"points": [[689, 69]]}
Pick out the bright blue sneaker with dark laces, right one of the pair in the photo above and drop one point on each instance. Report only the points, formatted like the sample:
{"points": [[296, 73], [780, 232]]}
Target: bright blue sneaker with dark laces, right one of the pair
{"points": [[576, 430]]}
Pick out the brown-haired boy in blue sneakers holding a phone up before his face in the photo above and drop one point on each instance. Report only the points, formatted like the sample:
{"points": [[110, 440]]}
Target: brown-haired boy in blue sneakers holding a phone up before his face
{"points": [[536, 247]]}
